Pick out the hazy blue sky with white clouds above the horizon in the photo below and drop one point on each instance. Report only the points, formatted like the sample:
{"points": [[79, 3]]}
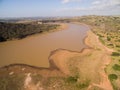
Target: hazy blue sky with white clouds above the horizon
{"points": [[28, 8]]}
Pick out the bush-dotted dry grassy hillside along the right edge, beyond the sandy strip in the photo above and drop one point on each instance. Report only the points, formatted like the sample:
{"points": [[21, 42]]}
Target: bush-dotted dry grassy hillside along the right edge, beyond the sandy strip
{"points": [[108, 30]]}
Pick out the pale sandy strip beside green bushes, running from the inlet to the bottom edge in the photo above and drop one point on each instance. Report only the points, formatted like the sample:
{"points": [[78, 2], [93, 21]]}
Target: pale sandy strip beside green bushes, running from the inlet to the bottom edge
{"points": [[104, 83]]}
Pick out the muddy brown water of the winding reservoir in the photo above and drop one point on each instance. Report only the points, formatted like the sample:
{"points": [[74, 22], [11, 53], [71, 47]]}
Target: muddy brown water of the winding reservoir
{"points": [[35, 50]]}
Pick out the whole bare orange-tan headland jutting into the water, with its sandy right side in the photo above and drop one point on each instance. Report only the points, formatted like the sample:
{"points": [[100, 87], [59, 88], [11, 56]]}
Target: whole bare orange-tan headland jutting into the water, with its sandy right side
{"points": [[89, 62]]}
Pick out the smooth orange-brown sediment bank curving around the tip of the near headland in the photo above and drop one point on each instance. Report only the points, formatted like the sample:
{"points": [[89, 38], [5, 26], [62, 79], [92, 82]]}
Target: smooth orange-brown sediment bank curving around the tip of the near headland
{"points": [[61, 56]]}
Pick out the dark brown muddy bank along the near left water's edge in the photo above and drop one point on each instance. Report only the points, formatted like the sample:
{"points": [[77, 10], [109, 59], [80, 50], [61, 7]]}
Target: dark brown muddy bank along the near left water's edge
{"points": [[24, 68]]}
